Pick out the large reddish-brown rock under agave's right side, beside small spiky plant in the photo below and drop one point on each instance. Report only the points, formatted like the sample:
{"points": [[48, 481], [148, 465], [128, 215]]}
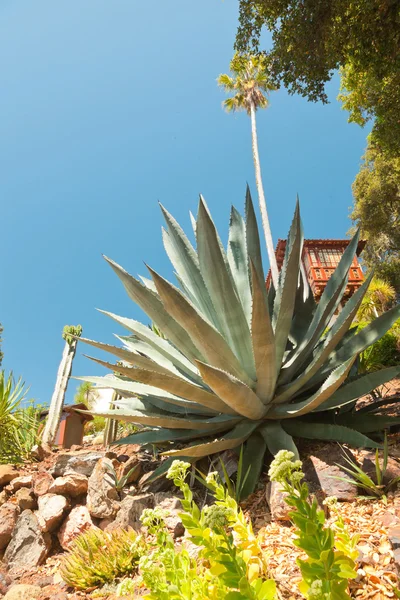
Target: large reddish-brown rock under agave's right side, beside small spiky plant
{"points": [[321, 470]]}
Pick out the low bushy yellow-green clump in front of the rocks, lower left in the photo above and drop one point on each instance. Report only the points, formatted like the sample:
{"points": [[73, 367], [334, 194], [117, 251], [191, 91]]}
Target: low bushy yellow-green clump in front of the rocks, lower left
{"points": [[97, 557]]}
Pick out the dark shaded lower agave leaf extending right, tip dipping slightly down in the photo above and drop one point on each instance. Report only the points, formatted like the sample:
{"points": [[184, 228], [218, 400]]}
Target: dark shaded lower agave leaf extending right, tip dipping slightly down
{"points": [[327, 431]]}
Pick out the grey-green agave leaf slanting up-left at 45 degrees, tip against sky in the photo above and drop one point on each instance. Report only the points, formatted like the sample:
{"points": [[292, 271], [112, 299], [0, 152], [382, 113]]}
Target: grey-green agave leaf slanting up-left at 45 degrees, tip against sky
{"points": [[152, 306]]}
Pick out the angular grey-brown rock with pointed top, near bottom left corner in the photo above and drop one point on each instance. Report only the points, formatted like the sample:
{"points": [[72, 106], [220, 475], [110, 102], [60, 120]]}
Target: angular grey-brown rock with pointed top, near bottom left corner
{"points": [[29, 547]]}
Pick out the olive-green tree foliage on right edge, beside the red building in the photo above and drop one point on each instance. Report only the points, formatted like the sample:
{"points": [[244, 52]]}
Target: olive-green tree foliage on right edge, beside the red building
{"points": [[376, 210]]}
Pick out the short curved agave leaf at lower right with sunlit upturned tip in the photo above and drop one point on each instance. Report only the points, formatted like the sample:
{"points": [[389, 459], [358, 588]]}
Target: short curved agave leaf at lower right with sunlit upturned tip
{"points": [[329, 387]]}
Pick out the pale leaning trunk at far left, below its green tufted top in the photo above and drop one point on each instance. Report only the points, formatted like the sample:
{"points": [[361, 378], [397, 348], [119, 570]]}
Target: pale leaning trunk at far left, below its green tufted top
{"points": [[57, 400]]}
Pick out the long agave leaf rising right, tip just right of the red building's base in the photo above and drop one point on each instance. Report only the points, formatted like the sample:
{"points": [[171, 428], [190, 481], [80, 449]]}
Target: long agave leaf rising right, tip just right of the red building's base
{"points": [[336, 333]]}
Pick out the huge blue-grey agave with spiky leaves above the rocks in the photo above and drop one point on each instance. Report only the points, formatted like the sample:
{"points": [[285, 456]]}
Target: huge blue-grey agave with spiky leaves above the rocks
{"points": [[237, 364]]}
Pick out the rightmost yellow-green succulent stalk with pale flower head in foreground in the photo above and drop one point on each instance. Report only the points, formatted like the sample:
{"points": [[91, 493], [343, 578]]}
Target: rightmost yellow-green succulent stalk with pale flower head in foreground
{"points": [[331, 552]]}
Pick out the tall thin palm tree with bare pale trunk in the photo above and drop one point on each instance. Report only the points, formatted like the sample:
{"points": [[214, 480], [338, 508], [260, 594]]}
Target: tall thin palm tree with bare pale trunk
{"points": [[250, 84]]}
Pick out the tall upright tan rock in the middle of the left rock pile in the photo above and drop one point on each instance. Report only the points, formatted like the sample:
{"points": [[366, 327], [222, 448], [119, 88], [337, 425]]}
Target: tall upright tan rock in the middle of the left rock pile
{"points": [[102, 499]]}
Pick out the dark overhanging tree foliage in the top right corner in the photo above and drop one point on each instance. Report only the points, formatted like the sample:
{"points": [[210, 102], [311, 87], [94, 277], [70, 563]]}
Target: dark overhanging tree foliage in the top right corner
{"points": [[311, 39]]}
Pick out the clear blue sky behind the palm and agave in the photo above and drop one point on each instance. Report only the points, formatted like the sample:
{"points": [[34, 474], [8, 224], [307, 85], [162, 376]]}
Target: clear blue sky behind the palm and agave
{"points": [[107, 108]]}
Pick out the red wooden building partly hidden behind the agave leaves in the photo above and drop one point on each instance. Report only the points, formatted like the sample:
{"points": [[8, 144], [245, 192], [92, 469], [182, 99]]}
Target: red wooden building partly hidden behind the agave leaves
{"points": [[320, 259]]}
